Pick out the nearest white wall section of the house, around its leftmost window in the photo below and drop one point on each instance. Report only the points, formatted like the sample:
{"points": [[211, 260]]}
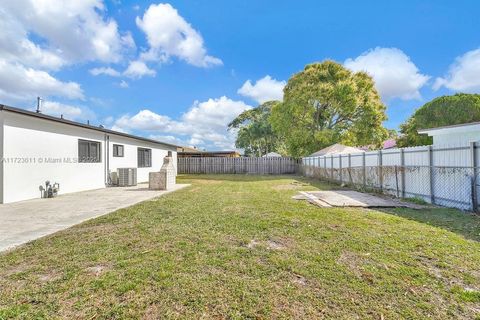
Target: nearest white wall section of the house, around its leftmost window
{"points": [[36, 150]]}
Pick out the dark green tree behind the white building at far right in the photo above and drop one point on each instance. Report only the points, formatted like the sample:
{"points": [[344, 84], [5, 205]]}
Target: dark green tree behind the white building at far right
{"points": [[441, 111]]}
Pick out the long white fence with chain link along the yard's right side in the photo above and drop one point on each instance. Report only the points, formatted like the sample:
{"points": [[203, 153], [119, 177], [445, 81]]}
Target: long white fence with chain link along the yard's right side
{"points": [[442, 175]]}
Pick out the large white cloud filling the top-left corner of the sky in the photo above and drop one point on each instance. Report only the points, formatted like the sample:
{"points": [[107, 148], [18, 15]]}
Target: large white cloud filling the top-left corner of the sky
{"points": [[73, 31]]}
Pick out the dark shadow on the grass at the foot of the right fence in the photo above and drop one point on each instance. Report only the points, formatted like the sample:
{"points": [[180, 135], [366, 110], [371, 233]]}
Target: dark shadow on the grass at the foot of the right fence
{"points": [[463, 223]]}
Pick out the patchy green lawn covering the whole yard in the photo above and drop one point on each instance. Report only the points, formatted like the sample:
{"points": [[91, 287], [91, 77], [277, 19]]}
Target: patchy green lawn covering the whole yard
{"points": [[239, 247]]}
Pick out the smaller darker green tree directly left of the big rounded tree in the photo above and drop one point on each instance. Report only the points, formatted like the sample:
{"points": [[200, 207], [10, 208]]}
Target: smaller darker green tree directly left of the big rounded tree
{"points": [[255, 134]]}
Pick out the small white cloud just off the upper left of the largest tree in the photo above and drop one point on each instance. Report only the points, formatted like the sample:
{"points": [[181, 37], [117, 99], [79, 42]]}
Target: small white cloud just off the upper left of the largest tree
{"points": [[265, 89]]}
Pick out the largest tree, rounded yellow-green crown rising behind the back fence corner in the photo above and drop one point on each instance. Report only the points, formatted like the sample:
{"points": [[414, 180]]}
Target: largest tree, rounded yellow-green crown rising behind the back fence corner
{"points": [[325, 104]]}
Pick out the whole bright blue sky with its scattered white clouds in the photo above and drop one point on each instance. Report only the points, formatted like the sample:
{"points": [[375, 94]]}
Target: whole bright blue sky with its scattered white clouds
{"points": [[174, 71]]}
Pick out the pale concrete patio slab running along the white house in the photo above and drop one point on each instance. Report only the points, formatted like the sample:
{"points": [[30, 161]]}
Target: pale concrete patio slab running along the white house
{"points": [[24, 221]]}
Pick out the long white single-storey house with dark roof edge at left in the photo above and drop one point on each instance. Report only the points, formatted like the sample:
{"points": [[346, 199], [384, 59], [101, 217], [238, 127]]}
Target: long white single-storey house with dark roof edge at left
{"points": [[35, 148]]}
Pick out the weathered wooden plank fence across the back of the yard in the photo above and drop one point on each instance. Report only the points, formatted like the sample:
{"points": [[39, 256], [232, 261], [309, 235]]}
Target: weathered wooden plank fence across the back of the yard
{"points": [[280, 165]]}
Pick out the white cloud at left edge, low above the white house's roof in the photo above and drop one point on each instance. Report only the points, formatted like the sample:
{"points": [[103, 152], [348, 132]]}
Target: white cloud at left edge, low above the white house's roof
{"points": [[18, 83]]}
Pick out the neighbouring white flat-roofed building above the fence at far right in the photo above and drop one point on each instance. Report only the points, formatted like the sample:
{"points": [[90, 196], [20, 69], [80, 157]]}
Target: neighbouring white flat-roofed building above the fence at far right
{"points": [[459, 134]]}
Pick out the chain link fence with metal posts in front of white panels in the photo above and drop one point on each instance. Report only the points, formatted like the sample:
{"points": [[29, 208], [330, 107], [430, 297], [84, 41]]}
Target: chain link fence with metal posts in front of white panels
{"points": [[449, 186]]}
